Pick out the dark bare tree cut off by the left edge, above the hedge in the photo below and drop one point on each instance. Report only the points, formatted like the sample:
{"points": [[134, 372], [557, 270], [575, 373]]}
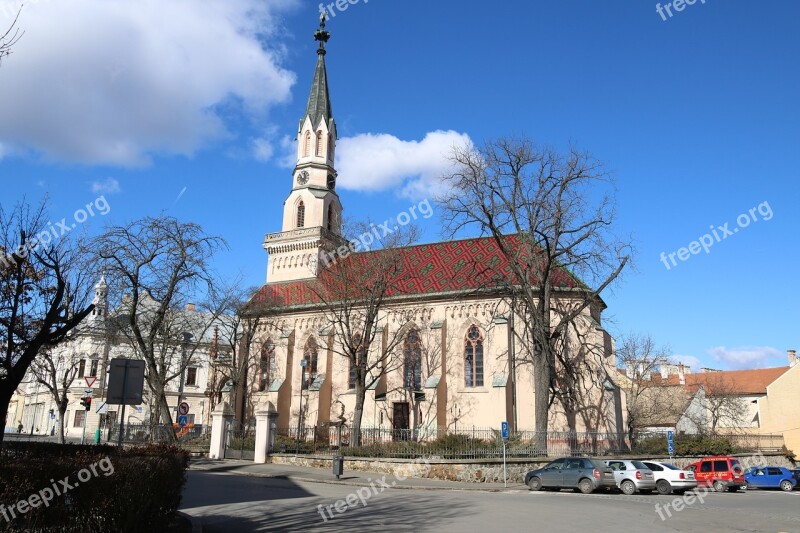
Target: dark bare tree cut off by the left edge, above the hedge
{"points": [[43, 293]]}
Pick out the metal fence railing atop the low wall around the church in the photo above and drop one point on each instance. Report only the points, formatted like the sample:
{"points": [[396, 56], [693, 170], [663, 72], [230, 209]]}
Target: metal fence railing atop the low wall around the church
{"points": [[479, 443]]}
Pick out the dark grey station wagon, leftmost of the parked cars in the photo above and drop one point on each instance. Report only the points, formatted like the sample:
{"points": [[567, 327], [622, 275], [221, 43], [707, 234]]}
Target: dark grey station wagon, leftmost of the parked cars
{"points": [[582, 473]]}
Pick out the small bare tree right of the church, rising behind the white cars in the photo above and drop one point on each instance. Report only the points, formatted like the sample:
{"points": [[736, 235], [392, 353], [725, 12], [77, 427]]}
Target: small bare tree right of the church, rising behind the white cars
{"points": [[641, 358]]}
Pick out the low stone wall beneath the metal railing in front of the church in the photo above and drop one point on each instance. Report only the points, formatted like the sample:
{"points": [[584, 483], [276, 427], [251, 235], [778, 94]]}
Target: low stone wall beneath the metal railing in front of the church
{"points": [[477, 470]]}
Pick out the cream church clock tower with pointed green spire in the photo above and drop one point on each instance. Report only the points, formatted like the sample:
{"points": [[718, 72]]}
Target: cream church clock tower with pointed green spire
{"points": [[312, 214]]}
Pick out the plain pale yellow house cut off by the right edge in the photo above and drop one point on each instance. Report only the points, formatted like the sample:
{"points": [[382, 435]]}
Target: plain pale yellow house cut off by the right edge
{"points": [[780, 408]]}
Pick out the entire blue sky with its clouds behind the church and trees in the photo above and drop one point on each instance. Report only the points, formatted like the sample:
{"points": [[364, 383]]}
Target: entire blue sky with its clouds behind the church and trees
{"points": [[191, 107]]}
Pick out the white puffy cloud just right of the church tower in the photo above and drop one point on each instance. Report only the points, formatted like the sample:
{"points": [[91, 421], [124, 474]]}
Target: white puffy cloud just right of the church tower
{"points": [[377, 162]]}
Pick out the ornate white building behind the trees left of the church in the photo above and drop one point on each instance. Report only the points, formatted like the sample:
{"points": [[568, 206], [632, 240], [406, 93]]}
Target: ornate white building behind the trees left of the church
{"points": [[89, 348]]}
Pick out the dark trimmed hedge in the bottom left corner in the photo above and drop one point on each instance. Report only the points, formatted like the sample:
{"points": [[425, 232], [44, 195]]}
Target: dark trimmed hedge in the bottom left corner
{"points": [[107, 488]]}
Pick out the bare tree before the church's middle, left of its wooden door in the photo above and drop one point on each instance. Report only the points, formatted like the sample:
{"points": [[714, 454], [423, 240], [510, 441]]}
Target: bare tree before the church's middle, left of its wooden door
{"points": [[354, 291]]}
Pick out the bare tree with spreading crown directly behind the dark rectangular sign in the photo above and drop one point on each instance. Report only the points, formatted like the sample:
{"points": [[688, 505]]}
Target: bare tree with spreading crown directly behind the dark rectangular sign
{"points": [[156, 267]]}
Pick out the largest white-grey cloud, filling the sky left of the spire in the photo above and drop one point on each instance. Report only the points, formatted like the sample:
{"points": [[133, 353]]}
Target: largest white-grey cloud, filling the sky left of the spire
{"points": [[115, 81]]}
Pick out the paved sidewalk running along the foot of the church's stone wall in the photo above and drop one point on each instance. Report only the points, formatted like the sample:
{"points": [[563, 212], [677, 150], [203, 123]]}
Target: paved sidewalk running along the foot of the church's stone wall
{"points": [[353, 478]]}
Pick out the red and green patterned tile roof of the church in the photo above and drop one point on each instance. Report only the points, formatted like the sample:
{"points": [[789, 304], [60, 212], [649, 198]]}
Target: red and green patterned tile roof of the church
{"points": [[461, 266]]}
